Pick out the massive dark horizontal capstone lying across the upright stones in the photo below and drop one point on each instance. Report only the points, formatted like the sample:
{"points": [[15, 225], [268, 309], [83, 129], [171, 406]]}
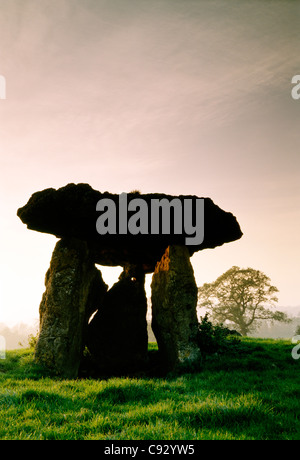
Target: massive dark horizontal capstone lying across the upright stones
{"points": [[71, 212]]}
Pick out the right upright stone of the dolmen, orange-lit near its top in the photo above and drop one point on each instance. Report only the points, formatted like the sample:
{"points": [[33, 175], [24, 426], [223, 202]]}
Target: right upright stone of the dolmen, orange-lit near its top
{"points": [[174, 301]]}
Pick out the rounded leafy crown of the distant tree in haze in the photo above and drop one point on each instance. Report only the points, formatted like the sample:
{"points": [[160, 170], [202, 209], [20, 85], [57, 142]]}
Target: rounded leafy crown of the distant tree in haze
{"points": [[242, 298]]}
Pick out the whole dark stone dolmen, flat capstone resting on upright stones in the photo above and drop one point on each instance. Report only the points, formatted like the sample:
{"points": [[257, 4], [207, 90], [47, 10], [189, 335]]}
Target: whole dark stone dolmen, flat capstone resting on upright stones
{"points": [[116, 336]]}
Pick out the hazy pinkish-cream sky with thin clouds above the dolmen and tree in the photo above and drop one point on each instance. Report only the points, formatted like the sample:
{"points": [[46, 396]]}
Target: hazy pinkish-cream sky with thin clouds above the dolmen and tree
{"points": [[174, 96]]}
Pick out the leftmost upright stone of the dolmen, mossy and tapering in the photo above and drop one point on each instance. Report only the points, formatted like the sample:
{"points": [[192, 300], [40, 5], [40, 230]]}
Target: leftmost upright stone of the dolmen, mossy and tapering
{"points": [[74, 289]]}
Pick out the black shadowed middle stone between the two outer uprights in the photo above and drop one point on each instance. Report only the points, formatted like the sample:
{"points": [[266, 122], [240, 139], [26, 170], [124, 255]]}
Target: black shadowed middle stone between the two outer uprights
{"points": [[117, 334]]}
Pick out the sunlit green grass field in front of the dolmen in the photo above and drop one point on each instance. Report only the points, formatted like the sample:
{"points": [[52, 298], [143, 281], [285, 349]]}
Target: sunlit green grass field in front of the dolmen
{"points": [[251, 392]]}
